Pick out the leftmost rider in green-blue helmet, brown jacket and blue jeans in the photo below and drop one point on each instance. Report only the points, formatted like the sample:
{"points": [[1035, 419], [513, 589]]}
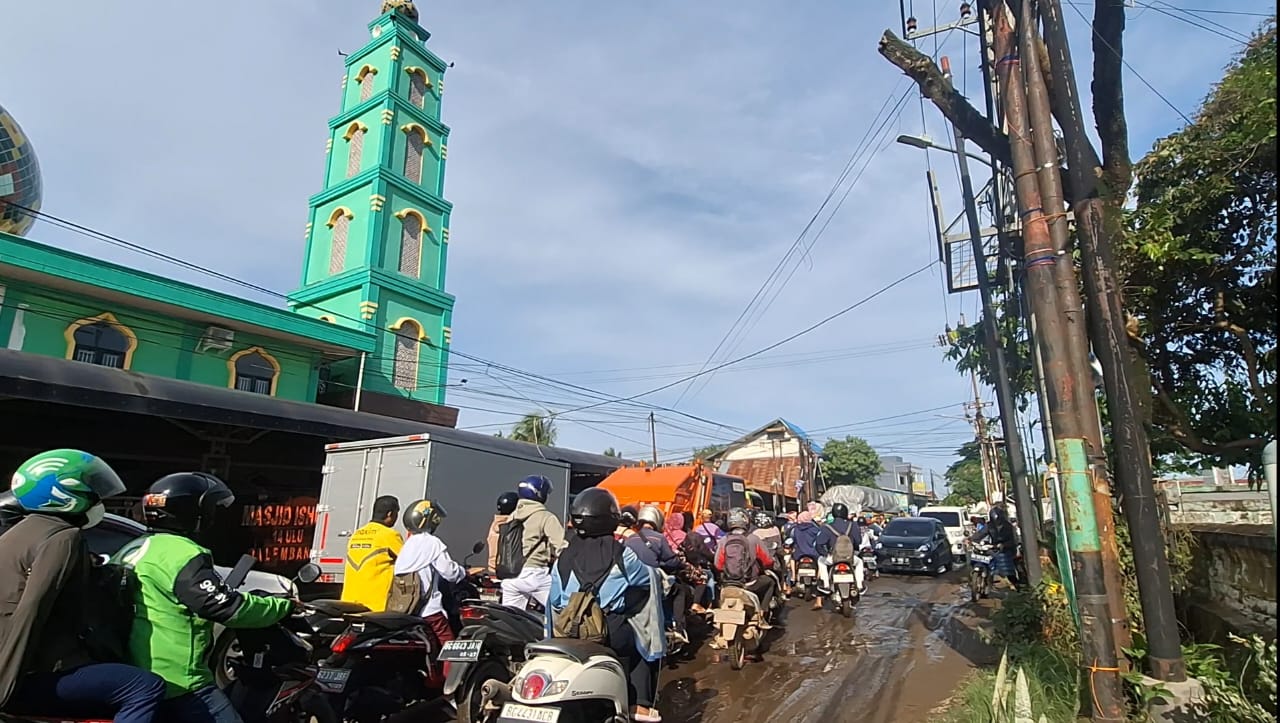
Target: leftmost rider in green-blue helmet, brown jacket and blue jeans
{"points": [[47, 592]]}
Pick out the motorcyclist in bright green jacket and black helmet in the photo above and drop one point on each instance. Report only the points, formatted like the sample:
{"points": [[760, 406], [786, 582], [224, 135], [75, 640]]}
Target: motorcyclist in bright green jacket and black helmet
{"points": [[181, 597]]}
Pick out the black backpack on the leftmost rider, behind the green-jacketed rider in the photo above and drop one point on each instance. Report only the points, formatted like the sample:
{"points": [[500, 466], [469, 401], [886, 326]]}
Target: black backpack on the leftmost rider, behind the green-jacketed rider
{"points": [[111, 607]]}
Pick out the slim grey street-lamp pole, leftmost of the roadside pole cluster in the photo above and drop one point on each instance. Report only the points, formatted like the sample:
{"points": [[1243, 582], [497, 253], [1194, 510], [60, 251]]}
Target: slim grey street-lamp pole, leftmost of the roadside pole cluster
{"points": [[1000, 370]]}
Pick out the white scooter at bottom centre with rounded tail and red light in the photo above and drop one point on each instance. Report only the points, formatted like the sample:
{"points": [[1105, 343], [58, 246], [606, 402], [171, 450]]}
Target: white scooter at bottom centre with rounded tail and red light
{"points": [[564, 681]]}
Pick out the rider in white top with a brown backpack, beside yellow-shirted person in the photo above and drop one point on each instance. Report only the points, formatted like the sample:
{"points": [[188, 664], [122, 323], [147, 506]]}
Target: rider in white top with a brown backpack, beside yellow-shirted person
{"points": [[423, 564]]}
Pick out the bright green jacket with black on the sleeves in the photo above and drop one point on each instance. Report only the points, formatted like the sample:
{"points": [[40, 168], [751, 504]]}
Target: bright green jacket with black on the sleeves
{"points": [[180, 600]]}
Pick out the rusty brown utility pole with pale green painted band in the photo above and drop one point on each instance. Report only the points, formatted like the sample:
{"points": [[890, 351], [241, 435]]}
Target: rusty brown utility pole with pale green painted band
{"points": [[1067, 386]]}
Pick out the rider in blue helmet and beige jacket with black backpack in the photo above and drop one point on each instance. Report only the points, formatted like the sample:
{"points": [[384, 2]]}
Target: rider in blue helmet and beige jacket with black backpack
{"points": [[528, 544]]}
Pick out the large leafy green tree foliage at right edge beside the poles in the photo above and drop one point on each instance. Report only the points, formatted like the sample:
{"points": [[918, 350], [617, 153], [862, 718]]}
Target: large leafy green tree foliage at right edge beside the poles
{"points": [[1199, 266]]}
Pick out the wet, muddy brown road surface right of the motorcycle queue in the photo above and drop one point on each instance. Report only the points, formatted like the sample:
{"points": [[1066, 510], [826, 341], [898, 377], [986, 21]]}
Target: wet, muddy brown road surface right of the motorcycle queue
{"points": [[909, 643]]}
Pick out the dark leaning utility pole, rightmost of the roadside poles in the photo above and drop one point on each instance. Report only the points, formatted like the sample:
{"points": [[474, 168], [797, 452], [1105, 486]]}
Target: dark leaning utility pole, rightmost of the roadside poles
{"points": [[1132, 449]]}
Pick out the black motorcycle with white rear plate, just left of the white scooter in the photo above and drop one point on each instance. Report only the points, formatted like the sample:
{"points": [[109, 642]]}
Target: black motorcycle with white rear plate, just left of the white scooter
{"points": [[491, 646]]}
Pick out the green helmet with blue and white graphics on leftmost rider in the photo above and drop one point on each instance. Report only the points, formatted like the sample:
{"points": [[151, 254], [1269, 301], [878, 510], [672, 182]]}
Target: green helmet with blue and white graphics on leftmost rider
{"points": [[65, 482]]}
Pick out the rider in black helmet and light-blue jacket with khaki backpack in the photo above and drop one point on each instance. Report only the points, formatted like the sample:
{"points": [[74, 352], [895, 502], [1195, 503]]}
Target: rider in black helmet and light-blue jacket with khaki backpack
{"points": [[602, 593]]}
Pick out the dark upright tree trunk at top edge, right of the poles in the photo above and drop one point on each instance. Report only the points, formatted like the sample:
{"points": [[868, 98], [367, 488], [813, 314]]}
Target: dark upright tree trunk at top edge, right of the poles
{"points": [[1109, 98]]}
